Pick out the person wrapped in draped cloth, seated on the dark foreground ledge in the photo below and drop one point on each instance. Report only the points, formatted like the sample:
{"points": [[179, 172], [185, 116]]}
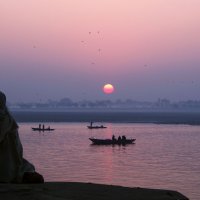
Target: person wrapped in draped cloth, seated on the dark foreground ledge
{"points": [[13, 167]]}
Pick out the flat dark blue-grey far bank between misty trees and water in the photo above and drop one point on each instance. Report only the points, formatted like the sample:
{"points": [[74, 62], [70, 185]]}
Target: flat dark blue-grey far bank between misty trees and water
{"points": [[189, 118]]}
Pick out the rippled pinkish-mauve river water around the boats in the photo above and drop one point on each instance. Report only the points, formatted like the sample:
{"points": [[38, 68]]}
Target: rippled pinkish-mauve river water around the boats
{"points": [[164, 156]]}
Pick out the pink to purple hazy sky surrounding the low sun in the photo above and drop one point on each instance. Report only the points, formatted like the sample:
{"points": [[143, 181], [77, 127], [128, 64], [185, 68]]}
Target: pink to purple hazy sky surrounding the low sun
{"points": [[147, 49]]}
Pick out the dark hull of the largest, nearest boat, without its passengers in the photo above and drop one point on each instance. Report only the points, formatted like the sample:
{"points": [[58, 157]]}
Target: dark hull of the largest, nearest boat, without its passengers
{"points": [[111, 142]]}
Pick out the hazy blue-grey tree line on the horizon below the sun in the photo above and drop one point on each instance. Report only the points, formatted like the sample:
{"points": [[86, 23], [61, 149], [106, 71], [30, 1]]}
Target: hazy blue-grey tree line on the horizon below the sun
{"points": [[123, 104]]}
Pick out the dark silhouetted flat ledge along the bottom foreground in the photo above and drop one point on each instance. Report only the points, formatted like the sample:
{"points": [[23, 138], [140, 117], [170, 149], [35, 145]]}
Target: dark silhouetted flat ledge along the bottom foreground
{"points": [[82, 191]]}
